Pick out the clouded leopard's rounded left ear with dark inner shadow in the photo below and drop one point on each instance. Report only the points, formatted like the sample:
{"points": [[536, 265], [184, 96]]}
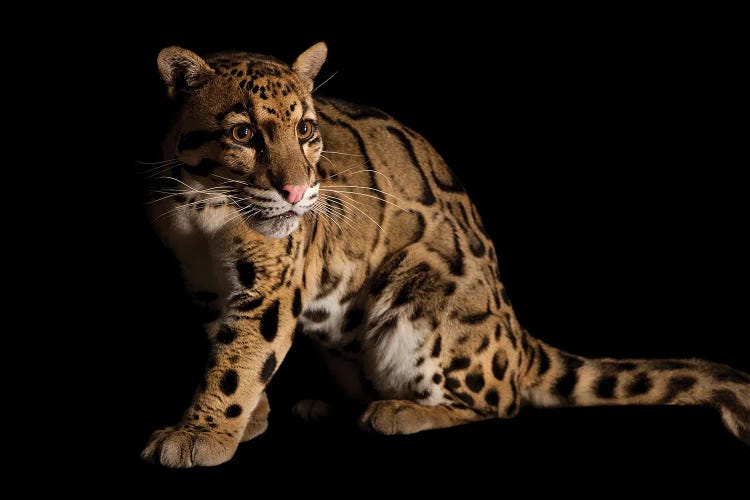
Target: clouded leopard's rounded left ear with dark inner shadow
{"points": [[182, 70]]}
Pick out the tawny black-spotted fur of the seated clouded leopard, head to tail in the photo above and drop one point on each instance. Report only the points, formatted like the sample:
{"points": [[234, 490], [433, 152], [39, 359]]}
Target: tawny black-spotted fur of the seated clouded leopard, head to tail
{"points": [[383, 260]]}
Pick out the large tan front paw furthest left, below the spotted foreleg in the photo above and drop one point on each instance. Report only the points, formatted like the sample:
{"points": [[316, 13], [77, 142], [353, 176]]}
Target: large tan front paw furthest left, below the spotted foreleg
{"points": [[181, 447]]}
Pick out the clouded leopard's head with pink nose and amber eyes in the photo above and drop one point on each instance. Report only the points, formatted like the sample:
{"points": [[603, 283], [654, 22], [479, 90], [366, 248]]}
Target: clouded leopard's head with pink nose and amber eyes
{"points": [[246, 128]]}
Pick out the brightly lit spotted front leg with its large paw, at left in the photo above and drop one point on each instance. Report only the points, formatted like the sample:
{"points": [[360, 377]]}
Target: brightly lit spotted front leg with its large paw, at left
{"points": [[230, 406]]}
